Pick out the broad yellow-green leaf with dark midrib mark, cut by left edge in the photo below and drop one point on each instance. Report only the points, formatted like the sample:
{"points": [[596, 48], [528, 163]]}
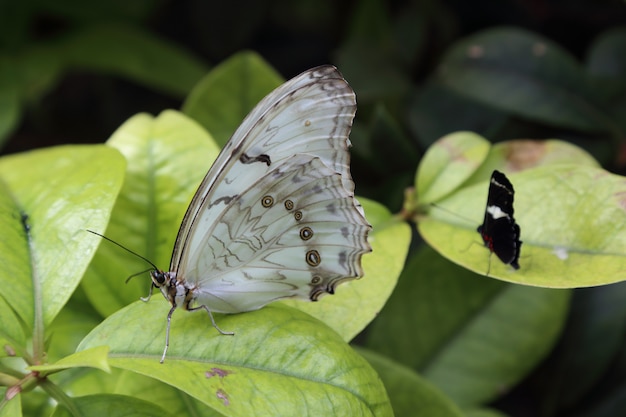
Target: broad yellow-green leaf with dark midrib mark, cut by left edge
{"points": [[55, 194]]}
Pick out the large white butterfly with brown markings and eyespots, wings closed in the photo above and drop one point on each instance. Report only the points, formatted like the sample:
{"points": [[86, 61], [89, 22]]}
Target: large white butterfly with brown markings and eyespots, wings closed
{"points": [[275, 216]]}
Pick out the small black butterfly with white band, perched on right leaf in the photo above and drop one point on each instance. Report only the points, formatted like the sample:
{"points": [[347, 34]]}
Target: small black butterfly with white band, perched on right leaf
{"points": [[499, 231]]}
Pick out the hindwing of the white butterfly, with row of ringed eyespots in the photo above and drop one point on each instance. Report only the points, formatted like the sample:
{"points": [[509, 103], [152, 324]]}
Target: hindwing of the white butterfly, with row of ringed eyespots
{"points": [[294, 233]]}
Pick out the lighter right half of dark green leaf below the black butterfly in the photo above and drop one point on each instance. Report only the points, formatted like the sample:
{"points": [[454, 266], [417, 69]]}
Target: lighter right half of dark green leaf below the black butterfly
{"points": [[501, 345]]}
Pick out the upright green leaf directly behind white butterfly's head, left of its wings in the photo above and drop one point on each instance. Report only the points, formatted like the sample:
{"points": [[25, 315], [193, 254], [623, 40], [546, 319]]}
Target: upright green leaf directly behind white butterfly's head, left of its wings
{"points": [[167, 158]]}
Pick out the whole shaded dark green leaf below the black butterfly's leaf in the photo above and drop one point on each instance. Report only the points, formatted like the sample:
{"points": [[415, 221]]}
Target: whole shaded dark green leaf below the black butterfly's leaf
{"points": [[470, 336]]}
